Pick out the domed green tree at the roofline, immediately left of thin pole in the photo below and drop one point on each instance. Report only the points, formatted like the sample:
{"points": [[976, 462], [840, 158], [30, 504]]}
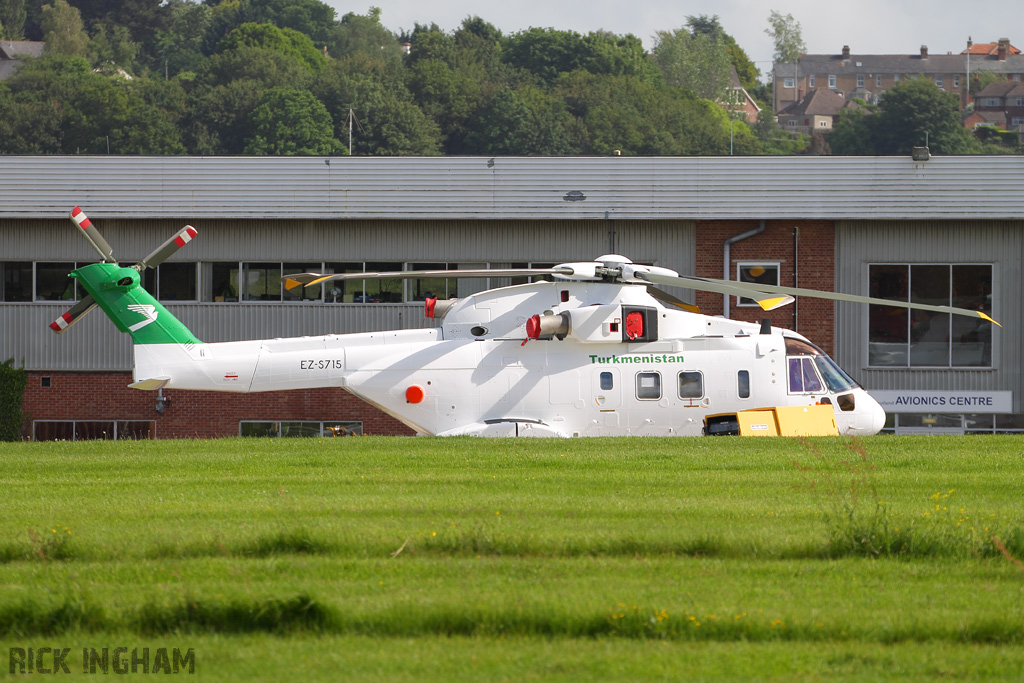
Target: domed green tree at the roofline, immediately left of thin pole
{"points": [[291, 122]]}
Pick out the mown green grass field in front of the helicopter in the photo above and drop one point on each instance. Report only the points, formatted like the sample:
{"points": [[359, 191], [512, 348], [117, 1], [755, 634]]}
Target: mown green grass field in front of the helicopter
{"points": [[893, 559]]}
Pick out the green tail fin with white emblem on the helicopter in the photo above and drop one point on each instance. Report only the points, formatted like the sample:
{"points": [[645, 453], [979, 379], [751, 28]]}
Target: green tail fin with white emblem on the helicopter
{"points": [[134, 311]]}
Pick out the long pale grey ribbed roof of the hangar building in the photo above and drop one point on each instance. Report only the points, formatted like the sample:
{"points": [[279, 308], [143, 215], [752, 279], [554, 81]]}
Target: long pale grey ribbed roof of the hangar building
{"points": [[506, 188]]}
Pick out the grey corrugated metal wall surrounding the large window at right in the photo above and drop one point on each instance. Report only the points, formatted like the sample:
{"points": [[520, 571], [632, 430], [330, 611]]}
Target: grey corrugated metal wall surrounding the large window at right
{"points": [[999, 243]]}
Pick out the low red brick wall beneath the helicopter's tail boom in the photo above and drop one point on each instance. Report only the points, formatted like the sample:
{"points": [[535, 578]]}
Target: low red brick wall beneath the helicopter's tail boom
{"points": [[191, 414]]}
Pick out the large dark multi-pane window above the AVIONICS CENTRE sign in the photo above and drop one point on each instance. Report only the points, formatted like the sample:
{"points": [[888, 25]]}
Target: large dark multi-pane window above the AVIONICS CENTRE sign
{"points": [[901, 338]]}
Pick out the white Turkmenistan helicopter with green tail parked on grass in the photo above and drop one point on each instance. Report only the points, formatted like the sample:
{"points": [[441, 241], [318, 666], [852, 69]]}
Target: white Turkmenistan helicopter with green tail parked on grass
{"points": [[596, 352]]}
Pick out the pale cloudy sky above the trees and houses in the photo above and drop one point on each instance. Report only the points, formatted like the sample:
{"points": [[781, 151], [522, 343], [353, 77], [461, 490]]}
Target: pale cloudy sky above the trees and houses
{"points": [[869, 27]]}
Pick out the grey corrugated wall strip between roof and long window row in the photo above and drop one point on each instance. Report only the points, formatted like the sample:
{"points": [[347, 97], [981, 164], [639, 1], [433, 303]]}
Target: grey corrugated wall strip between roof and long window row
{"points": [[667, 243]]}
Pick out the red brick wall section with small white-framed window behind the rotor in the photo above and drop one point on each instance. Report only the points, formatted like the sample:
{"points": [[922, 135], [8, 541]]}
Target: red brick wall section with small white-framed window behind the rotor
{"points": [[816, 319]]}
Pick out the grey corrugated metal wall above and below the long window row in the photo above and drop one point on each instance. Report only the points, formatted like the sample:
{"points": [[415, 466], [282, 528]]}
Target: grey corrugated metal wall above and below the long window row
{"points": [[95, 345]]}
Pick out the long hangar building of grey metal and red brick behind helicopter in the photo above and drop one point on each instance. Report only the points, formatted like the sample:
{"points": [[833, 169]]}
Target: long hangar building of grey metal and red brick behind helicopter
{"points": [[941, 230]]}
